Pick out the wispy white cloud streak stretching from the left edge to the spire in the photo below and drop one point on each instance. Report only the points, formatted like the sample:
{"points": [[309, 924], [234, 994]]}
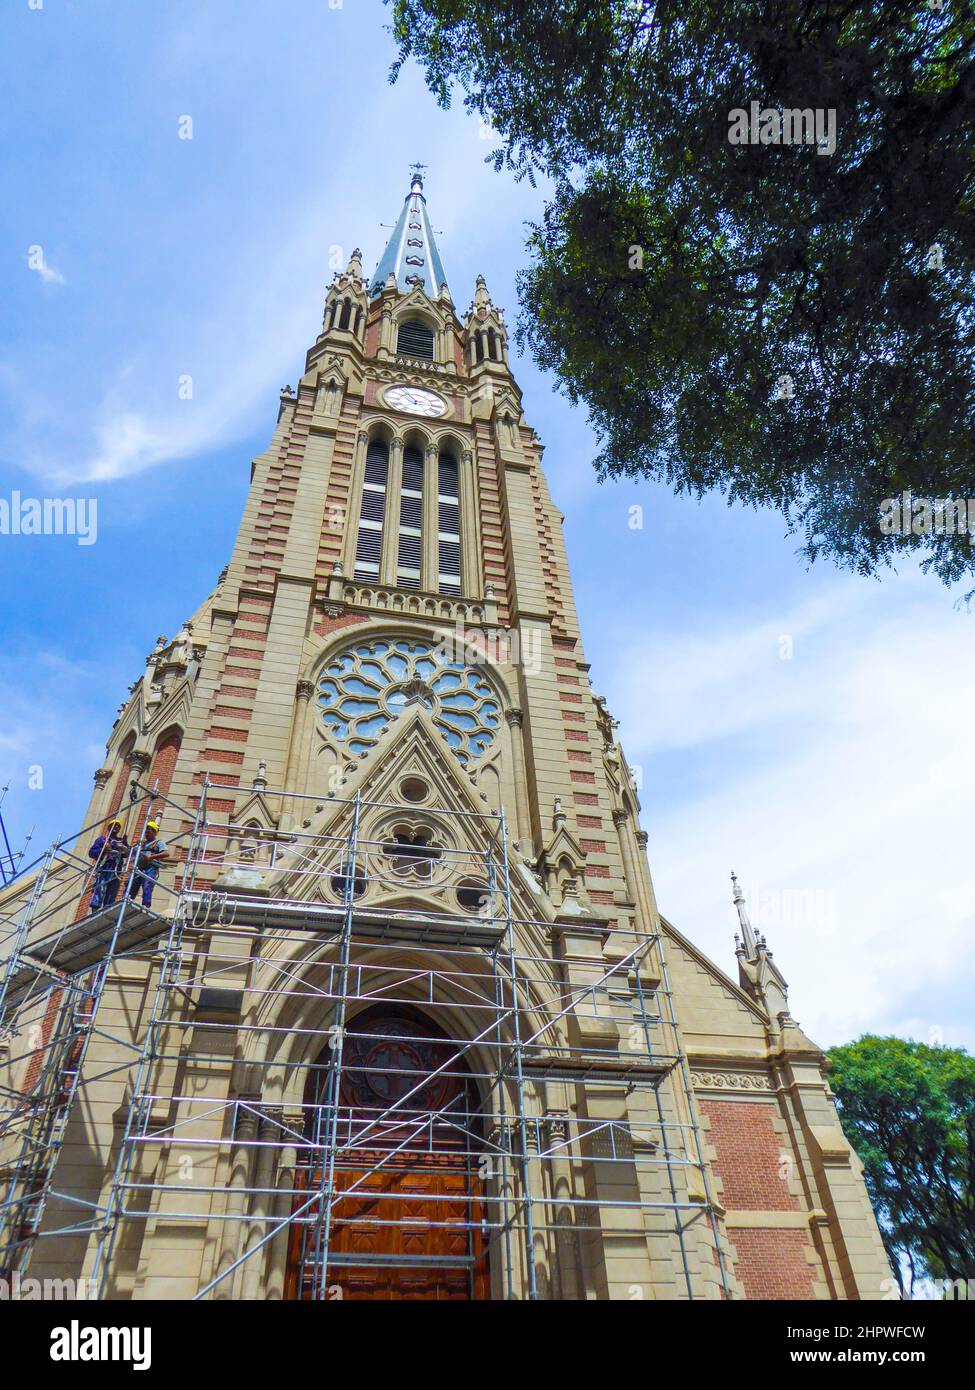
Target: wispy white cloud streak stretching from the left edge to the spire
{"points": [[240, 330]]}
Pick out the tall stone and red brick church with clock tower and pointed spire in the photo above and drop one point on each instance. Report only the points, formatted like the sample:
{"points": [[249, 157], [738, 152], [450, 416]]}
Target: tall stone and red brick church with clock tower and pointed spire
{"points": [[403, 1020]]}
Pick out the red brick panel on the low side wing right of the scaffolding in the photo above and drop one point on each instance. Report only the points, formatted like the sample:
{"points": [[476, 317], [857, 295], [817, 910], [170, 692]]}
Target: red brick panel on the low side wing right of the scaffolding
{"points": [[755, 1177]]}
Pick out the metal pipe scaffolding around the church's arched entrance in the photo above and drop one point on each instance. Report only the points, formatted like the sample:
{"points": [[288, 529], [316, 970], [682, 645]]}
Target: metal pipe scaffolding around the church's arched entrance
{"points": [[347, 1057]]}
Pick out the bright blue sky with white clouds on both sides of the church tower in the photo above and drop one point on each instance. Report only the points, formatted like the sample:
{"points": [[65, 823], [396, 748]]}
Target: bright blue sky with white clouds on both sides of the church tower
{"points": [[832, 771]]}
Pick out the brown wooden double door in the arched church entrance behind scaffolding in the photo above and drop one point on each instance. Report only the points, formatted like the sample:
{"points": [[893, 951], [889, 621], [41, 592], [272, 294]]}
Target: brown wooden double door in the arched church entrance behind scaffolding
{"points": [[407, 1153]]}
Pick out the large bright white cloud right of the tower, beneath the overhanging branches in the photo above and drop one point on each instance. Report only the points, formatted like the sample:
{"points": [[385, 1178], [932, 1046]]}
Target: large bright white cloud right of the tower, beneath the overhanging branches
{"points": [[841, 797]]}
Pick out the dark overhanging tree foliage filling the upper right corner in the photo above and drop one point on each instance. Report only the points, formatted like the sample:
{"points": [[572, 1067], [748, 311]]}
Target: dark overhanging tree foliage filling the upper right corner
{"points": [[679, 283]]}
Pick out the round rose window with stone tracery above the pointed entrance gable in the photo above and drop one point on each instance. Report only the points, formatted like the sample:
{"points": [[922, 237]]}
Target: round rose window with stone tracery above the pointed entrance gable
{"points": [[369, 686]]}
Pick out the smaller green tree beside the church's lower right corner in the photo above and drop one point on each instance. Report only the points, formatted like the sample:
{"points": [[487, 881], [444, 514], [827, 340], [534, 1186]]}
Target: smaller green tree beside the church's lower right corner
{"points": [[909, 1110]]}
